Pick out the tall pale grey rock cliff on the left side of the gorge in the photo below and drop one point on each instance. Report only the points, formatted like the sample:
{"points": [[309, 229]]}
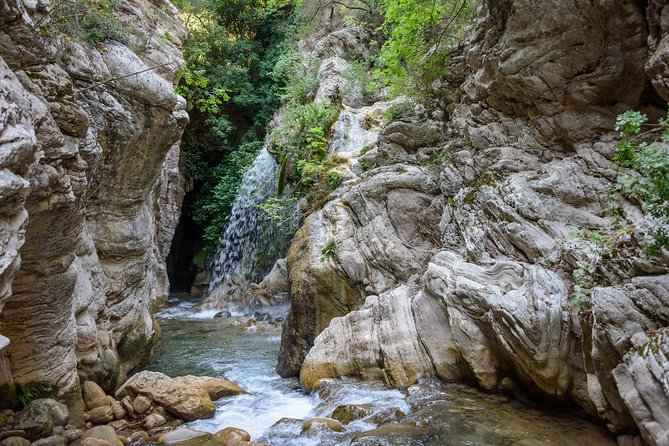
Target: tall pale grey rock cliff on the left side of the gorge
{"points": [[89, 192]]}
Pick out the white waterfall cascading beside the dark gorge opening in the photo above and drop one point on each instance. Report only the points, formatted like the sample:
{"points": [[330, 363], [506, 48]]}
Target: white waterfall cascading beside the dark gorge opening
{"points": [[237, 261]]}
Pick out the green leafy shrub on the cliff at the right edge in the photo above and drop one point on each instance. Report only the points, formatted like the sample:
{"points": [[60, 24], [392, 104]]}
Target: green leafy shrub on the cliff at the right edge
{"points": [[644, 172]]}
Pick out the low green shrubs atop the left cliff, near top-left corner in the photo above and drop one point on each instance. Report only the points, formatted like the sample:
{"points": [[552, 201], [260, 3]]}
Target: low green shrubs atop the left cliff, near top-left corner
{"points": [[89, 20]]}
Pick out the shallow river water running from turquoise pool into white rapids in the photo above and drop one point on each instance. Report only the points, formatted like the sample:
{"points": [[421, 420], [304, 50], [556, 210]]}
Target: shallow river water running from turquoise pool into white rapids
{"points": [[274, 410]]}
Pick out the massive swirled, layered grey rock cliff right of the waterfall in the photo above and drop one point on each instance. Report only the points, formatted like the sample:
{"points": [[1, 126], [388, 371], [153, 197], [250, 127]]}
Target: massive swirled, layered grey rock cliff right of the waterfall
{"points": [[455, 255]]}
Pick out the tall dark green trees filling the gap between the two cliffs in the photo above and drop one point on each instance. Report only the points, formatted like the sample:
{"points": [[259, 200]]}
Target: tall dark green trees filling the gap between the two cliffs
{"points": [[239, 57]]}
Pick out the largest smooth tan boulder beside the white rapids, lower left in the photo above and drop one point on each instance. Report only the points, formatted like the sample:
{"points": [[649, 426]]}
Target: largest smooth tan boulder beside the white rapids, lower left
{"points": [[183, 400]]}
